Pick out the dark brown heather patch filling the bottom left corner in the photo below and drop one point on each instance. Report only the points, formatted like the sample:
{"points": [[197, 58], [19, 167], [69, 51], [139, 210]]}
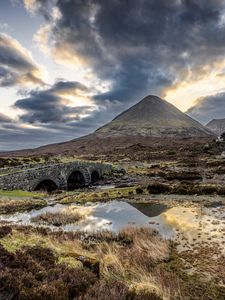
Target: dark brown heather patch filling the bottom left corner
{"points": [[33, 273]]}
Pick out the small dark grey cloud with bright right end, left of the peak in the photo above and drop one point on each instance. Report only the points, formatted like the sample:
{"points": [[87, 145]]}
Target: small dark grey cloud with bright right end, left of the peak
{"points": [[53, 105]]}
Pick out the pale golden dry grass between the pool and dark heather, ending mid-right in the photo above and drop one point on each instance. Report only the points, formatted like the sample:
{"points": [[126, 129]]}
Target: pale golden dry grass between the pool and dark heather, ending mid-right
{"points": [[127, 258]]}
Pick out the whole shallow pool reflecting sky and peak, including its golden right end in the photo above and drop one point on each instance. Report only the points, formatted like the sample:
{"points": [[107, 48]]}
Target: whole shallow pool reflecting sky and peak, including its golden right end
{"points": [[188, 226]]}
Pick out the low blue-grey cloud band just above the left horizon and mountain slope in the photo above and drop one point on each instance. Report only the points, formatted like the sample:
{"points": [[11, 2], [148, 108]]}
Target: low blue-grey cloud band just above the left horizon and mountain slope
{"points": [[17, 136]]}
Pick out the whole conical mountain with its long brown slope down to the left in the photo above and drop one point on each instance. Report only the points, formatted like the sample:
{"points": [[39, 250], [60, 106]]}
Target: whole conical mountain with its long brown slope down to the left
{"points": [[149, 122]]}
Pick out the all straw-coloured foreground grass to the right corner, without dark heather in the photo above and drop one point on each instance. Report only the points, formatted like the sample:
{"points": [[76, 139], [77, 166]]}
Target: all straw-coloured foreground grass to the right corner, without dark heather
{"points": [[135, 264]]}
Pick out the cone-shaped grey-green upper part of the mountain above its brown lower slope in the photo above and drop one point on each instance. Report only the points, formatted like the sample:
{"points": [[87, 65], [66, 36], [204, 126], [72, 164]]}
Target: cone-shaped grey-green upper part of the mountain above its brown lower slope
{"points": [[153, 117]]}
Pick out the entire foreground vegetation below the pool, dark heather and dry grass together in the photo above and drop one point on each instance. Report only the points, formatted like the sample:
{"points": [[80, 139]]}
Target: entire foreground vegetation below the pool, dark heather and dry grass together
{"points": [[135, 264]]}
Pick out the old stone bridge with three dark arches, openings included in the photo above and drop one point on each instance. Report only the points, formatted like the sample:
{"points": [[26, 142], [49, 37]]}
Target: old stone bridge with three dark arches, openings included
{"points": [[51, 176]]}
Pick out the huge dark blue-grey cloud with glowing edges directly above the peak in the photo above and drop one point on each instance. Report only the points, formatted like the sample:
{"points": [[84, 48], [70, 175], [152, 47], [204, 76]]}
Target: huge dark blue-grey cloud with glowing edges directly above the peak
{"points": [[139, 47]]}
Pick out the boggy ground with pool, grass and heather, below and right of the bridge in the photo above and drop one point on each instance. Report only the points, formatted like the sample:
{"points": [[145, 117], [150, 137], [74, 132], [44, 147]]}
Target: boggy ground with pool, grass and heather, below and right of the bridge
{"points": [[156, 232]]}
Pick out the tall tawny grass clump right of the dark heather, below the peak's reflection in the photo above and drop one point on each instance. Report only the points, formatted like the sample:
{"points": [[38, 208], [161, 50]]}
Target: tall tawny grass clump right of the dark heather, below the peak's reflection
{"points": [[133, 264]]}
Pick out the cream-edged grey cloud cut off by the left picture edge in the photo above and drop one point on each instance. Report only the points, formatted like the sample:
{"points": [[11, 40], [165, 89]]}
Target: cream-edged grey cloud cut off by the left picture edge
{"points": [[16, 64]]}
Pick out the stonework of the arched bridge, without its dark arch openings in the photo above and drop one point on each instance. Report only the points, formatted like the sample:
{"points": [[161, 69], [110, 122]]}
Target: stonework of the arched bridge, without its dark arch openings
{"points": [[28, 178]]}
